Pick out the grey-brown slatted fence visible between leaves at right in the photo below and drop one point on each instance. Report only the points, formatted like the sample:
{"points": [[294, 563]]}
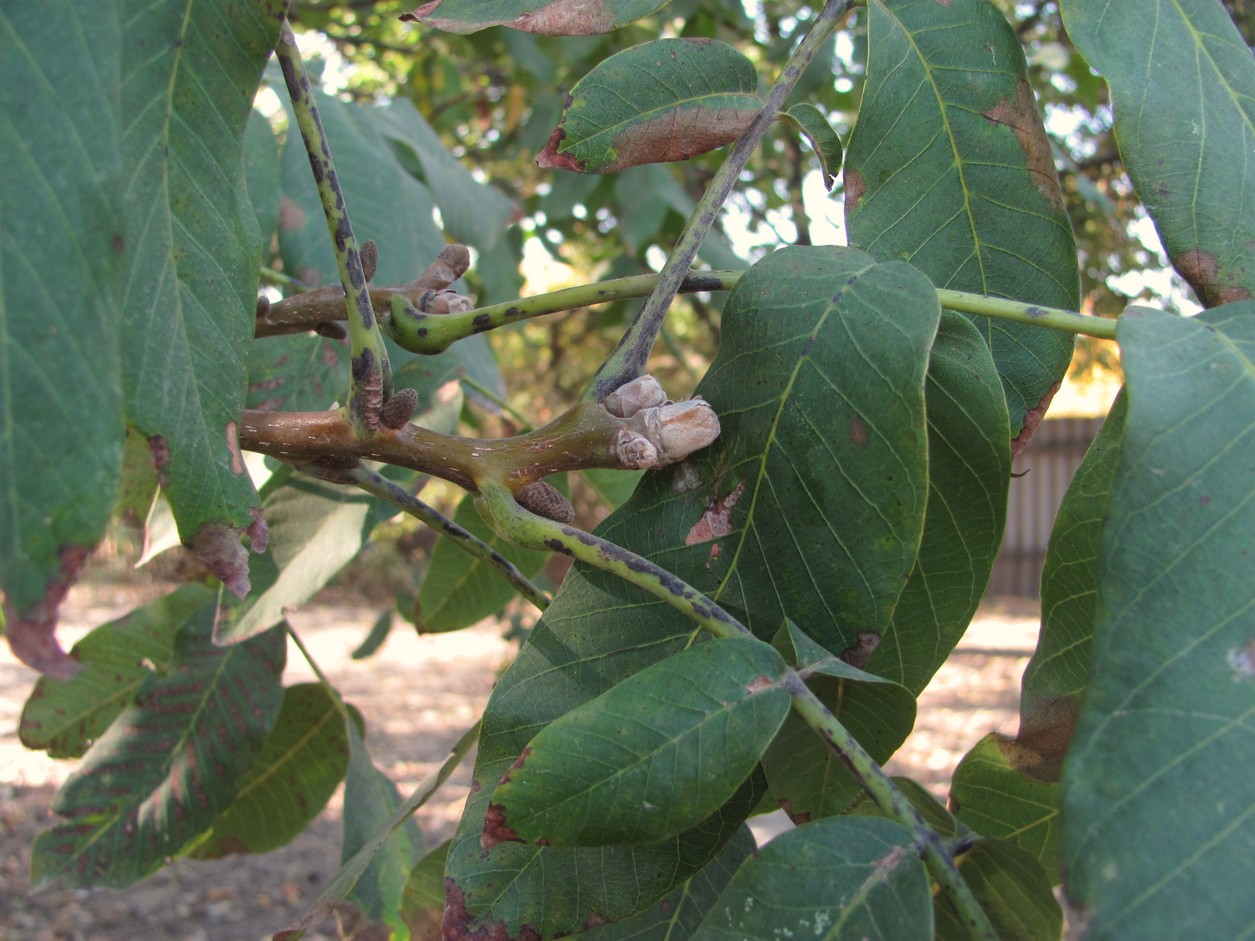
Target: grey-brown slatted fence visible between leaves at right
{"points": [[1044, 472]]}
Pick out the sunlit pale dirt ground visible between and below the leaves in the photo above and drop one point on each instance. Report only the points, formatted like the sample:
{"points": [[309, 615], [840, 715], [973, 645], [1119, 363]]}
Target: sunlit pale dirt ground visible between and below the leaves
{"points": [[419, 694]]}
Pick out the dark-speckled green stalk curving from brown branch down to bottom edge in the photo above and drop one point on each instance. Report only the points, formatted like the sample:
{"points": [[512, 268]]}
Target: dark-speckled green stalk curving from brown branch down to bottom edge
{"points": [[525, 529]]}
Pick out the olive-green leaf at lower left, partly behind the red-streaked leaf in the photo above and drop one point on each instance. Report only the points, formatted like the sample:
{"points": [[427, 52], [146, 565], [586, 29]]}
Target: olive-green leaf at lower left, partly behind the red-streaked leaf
{"points": [[301, 765]]}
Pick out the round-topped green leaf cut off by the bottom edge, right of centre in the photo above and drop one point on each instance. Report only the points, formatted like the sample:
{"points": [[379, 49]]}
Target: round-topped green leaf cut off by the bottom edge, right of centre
{"points": [[843, 878]]}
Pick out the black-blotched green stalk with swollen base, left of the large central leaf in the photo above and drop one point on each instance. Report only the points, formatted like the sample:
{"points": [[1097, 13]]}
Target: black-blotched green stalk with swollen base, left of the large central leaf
{"points": [[435, 333]]}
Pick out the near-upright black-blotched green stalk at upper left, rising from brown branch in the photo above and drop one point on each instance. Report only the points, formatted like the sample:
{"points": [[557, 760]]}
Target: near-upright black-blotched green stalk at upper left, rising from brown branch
{"points": [[370, 376]]}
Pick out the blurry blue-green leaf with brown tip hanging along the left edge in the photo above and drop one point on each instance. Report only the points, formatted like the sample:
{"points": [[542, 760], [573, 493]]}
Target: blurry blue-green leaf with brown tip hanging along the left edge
{"points": [[61, 373]]}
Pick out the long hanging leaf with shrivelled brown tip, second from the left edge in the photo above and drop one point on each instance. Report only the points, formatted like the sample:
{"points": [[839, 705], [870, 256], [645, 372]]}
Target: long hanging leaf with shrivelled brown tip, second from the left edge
{"points": [[190, 75]]}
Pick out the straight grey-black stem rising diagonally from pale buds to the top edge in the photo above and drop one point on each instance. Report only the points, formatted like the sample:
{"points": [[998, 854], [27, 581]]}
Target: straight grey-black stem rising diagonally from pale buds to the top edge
{"points": [[632, 354]]}
